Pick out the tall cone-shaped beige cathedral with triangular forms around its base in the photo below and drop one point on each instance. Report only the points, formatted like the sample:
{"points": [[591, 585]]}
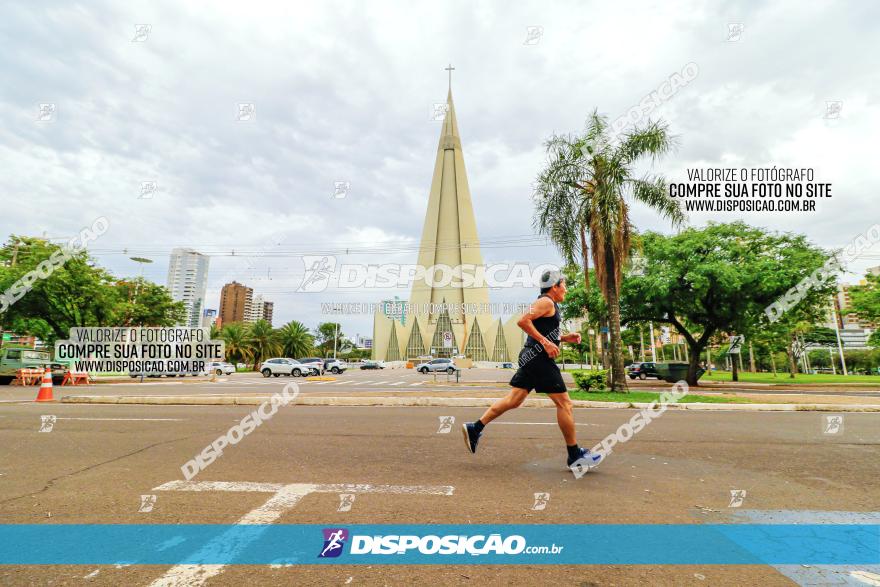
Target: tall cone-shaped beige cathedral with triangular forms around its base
{"points": [[445, 319]]}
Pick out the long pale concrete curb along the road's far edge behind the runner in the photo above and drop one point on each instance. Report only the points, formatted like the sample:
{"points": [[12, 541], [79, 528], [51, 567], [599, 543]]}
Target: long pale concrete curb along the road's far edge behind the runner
{"points": [[459, 402]]}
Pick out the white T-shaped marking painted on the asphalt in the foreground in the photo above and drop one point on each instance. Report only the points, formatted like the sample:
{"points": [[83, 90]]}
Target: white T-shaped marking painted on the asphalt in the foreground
{"points": [[284, 499]]}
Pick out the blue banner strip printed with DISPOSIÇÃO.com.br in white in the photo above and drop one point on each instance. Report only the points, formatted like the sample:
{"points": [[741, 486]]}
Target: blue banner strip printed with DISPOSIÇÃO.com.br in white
{"points": [[518, 544]]}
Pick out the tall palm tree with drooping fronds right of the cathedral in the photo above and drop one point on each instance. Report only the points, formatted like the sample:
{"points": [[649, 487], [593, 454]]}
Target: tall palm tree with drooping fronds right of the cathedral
{"points": [[585, 188]]}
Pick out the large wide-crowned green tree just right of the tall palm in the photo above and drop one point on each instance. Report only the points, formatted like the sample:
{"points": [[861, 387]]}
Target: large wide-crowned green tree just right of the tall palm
{"points": [[720, 279]]}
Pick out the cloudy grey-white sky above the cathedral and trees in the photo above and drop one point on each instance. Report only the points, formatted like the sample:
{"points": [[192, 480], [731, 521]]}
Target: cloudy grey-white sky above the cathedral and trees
{"points": [[344, 91]]}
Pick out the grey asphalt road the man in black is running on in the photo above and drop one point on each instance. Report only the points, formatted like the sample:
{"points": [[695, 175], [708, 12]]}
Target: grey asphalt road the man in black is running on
{"points": [[98, 460]]}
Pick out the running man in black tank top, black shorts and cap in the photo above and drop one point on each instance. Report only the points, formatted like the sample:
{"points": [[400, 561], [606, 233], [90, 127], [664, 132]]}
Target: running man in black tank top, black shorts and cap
{"points": [[538, 370]]}
